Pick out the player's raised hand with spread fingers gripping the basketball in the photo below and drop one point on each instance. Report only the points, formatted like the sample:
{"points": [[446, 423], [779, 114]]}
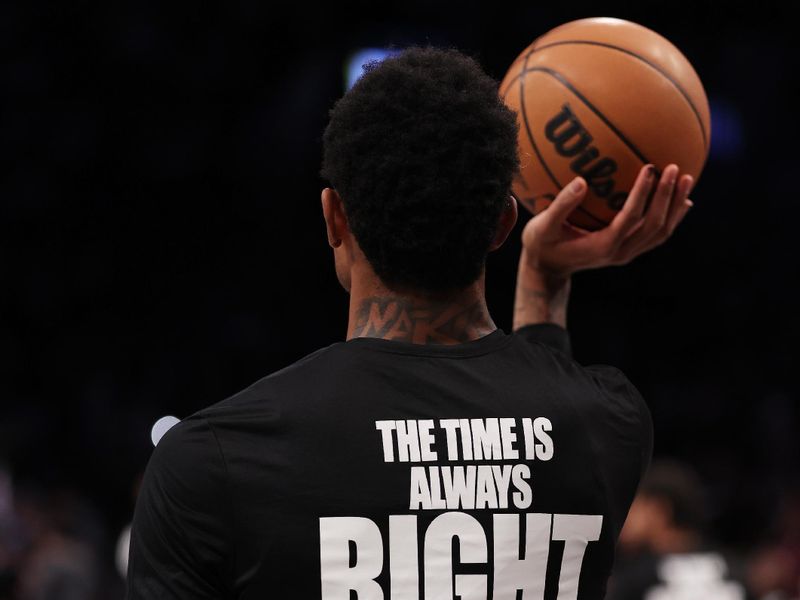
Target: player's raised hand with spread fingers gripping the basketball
{"points": [[551, 245]]}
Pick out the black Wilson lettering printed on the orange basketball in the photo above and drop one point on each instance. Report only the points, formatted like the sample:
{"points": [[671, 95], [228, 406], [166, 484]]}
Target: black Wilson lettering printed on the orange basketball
{"points": [[571, 139]]}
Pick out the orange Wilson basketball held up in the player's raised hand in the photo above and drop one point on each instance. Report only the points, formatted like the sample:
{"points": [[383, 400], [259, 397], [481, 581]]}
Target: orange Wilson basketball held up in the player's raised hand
{"points": [[601, 98]]}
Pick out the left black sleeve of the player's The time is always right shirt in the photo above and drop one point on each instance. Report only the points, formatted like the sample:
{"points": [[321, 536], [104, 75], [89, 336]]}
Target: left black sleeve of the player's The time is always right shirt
{"points": [[180, 539]]}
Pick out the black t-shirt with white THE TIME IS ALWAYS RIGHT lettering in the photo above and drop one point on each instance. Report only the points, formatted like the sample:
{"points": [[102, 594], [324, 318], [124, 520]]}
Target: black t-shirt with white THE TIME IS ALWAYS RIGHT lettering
{"points": [[381, 469]]}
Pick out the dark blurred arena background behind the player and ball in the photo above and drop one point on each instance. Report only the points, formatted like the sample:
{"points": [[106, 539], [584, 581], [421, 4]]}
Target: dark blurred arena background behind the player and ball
{"points": [[163, 247]]}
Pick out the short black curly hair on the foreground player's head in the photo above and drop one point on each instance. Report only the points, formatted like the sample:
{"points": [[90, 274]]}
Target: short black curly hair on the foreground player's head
{"points": [[422, 152]]}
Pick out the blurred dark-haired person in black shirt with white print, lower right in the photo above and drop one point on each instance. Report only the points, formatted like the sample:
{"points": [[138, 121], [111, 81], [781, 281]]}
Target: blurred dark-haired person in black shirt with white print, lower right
{"points": [[663, 551]]}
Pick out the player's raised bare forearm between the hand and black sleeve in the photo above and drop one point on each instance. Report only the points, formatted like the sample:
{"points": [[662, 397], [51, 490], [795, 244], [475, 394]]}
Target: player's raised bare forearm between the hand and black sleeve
{"points": [[540, 297]]}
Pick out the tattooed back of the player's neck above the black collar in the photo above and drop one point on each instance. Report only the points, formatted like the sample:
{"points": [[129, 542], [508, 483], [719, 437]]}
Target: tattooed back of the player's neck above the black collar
{"points": [[376, 311]]}
